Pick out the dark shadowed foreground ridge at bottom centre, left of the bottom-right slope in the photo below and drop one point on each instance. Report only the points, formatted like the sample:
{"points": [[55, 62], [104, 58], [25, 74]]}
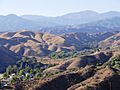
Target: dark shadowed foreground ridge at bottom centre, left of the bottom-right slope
{"points": [[57, 82]]}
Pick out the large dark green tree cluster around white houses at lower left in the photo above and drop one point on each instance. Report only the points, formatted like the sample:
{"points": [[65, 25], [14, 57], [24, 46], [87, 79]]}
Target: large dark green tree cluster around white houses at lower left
{"points": [[27, 67]]}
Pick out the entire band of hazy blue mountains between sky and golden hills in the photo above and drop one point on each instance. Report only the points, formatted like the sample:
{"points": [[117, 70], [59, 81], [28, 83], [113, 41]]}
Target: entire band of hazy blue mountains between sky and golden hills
{"points": [[85, 21]]}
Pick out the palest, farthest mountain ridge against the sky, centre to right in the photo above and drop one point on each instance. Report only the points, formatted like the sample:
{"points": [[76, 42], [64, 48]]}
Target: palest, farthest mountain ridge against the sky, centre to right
{"points": [[73, 18]]}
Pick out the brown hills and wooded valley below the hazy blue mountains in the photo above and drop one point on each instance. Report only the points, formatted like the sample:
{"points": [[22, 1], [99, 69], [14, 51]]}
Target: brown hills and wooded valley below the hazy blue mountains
{"points": [[43, 59]]}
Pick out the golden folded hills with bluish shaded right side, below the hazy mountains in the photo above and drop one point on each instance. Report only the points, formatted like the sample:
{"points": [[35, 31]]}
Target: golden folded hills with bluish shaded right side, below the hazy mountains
{"points": [[28, 43]]}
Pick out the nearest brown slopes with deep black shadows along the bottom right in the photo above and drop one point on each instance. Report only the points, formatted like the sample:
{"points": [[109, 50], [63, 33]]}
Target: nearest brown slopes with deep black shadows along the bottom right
{"points": [[88, 78]]}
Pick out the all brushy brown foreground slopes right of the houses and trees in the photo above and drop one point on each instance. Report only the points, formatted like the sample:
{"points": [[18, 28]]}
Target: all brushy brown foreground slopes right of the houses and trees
{"points": [[96, 71]]}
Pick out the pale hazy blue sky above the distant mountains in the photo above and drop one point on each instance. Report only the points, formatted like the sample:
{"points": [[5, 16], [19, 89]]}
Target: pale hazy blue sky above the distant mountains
{"points": [[56, 7]]}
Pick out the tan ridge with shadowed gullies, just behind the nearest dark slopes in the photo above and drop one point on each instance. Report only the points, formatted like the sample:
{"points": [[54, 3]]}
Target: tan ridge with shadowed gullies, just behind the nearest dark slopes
{"points": [[79, 62]]}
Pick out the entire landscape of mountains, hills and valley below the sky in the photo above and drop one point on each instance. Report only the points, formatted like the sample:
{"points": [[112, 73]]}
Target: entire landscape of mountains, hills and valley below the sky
{"points": [[75, 51]]}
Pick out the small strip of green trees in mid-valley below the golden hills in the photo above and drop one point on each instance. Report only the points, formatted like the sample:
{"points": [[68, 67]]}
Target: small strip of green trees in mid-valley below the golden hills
{"points": [[63, 54]]}
